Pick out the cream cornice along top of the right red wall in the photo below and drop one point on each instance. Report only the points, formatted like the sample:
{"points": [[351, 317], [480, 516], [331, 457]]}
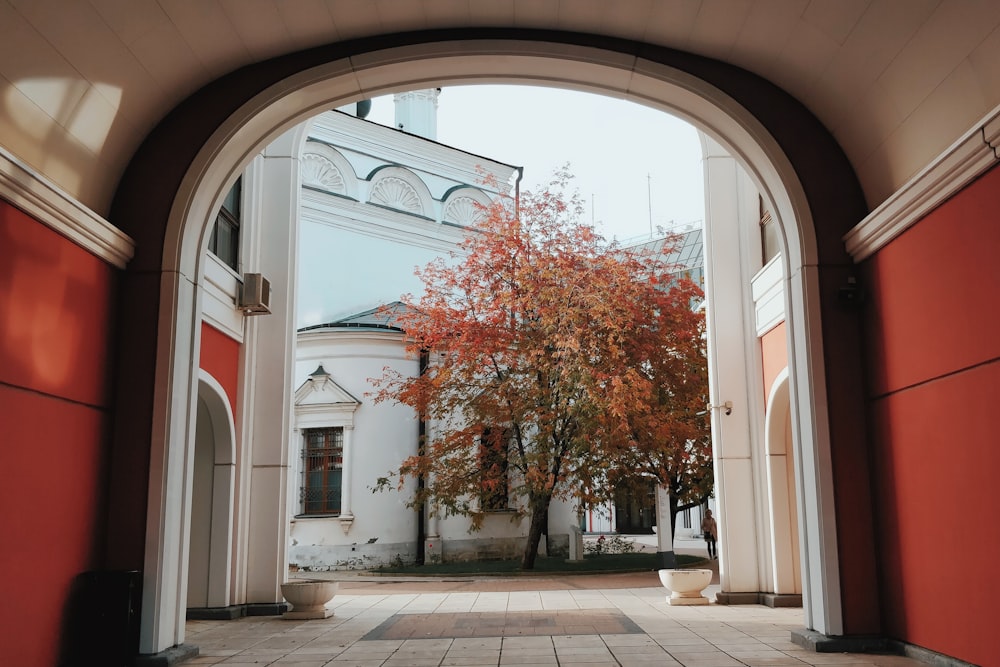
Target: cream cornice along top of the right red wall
{"points": [[976, 152]]}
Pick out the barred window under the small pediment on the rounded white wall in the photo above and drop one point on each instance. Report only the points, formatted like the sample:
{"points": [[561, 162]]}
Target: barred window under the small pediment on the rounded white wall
{"points": [[322, 470]]}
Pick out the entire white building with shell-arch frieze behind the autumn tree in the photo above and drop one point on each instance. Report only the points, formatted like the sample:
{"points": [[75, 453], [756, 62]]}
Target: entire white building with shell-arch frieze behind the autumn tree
{"points": [[397, 201]]}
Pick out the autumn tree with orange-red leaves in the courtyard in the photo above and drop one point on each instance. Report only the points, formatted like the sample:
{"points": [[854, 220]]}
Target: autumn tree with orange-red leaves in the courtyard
{"points": [[547, 350]]}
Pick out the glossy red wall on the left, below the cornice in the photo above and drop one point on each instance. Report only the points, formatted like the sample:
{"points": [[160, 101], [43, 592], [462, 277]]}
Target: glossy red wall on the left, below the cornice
{"points": [[55, 309]]}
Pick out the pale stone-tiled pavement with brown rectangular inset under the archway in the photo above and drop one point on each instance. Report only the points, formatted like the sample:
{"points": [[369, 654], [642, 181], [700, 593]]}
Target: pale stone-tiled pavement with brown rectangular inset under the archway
{"points": [[581, 620]]}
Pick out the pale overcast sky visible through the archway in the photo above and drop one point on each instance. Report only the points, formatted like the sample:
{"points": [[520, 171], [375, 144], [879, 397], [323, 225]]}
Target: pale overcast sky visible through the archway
{"points": [[636, 168]]}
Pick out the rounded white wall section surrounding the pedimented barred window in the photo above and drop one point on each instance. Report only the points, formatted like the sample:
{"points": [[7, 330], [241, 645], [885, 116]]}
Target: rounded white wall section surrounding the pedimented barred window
{"points": [[372, 528]]}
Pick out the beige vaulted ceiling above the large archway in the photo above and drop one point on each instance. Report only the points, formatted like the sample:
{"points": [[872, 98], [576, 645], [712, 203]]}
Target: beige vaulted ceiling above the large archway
{"points": [[895, 81]]}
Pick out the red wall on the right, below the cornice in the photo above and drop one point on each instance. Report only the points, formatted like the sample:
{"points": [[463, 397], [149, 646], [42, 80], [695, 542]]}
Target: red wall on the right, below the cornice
{"points": [[935, 379]]}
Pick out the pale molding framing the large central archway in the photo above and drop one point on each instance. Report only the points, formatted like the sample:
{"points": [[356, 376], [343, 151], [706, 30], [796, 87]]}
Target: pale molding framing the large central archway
{"points": [[282, 106]]}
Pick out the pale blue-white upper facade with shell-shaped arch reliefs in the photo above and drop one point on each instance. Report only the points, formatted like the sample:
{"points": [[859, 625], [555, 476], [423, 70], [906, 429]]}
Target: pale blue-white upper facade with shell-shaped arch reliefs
{"points": [[396, 200]]}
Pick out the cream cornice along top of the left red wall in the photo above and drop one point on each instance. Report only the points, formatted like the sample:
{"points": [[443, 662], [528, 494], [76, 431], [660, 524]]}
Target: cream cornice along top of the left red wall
{"points": [[31, 192]]}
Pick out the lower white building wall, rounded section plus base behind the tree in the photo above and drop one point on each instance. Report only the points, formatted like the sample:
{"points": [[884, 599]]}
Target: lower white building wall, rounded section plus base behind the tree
{"points": [[377, 528]]}
